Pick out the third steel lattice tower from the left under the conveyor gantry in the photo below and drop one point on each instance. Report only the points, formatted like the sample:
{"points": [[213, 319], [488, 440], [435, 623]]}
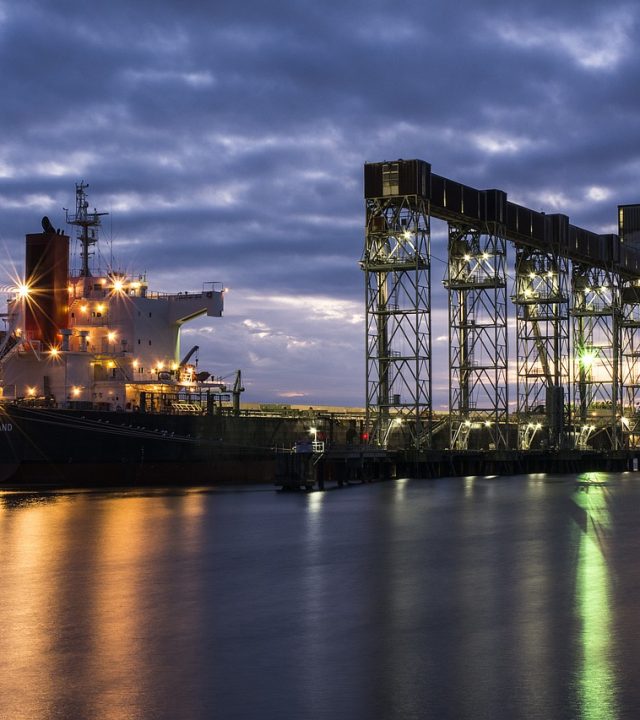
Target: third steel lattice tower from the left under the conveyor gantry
{"points": [[542, 342]]}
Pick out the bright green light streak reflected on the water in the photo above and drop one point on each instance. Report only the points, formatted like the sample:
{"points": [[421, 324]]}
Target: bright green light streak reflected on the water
{"points": [[596, 680]]}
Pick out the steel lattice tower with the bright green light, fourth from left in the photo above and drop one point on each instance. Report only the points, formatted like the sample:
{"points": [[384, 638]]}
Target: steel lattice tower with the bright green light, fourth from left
{"points": [[596, 315]]}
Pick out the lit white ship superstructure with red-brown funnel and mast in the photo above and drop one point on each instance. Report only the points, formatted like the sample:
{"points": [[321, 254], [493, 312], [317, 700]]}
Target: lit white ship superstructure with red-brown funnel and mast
{"points": [[100, 341]]}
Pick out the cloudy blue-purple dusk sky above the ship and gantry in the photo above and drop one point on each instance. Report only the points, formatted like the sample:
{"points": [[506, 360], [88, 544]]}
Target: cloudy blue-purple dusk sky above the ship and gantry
{"points": [[227, 139]]}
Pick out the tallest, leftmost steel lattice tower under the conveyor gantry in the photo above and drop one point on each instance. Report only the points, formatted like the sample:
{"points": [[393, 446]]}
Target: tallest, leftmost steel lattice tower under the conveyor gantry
{"points": [[397, 267]]}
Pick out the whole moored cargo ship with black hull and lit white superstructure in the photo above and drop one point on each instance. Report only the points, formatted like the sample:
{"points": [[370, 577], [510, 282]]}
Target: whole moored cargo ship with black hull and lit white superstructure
{"points": [[95, 389]]}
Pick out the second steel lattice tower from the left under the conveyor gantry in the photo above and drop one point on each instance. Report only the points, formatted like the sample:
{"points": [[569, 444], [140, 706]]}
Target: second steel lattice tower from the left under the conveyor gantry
{"points": [[478, 353]]}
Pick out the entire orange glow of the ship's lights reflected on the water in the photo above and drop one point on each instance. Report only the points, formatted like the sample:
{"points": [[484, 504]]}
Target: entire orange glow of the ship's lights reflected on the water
{"points": [[85, 593]]}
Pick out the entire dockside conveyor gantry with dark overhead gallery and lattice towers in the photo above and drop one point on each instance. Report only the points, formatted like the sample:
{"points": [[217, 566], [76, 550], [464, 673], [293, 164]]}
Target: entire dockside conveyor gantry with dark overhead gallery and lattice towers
{"points": [[576, 295]]}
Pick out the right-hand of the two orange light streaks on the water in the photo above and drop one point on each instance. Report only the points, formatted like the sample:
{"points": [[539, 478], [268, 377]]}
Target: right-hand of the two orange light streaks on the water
{"points": [[133, 617]]}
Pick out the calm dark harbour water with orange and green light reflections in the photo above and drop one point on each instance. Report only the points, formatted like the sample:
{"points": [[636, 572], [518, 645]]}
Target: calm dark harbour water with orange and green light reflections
{"points": [[473, 598]]}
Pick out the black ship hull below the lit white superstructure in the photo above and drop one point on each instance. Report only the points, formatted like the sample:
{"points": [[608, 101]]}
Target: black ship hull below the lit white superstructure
{"points": [[51, 446]]}
